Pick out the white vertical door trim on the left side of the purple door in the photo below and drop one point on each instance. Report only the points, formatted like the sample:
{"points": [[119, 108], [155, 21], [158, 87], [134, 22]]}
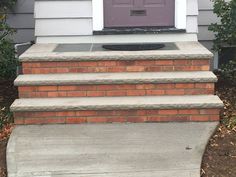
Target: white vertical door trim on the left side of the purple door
{"points": [[98, 19]]}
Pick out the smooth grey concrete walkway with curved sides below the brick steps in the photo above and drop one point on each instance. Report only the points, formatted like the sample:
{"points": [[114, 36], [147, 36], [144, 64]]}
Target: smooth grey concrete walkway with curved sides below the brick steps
{"points": [[108, 150]]}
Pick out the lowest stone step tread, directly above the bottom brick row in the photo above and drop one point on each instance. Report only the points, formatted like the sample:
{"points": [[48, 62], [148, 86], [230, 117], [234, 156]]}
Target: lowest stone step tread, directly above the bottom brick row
{"points": [[117, 103]]}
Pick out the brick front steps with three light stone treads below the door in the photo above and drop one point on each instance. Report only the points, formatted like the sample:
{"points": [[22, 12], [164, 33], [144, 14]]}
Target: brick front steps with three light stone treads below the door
{"points": [[107, 86]]}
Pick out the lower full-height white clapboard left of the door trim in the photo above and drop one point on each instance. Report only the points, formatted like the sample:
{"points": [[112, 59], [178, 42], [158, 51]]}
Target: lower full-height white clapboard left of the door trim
{"points": [[63, 27]]}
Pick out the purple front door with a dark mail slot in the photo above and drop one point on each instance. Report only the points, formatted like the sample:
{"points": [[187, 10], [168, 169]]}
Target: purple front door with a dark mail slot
{"points": [[139, 13]]}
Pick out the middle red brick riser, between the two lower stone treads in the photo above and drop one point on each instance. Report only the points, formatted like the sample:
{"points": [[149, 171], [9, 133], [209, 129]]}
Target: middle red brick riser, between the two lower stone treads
{"points": [[116, 90]]}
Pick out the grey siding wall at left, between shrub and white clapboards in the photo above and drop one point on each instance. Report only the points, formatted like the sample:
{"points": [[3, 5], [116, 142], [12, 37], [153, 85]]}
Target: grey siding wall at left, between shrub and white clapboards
{"points": [[22, 19]]}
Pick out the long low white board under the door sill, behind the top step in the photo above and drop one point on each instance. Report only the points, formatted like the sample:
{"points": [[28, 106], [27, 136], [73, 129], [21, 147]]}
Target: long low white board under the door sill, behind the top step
{"points": [[139, 38]]}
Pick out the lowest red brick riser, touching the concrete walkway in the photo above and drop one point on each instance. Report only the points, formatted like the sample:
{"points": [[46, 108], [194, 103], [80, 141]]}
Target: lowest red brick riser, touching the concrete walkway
{"points": [[138, 116]]}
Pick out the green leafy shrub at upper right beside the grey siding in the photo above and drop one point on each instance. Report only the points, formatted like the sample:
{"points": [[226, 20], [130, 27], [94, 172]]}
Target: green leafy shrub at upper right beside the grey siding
{"points": [[225, 33]]}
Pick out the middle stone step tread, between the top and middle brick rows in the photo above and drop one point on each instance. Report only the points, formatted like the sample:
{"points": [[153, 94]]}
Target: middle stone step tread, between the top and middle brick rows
{"points": [[115, 78]]}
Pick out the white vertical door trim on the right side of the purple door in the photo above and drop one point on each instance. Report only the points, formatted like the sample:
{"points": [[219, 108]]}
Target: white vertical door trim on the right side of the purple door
{"points": [[180, 14]]}
